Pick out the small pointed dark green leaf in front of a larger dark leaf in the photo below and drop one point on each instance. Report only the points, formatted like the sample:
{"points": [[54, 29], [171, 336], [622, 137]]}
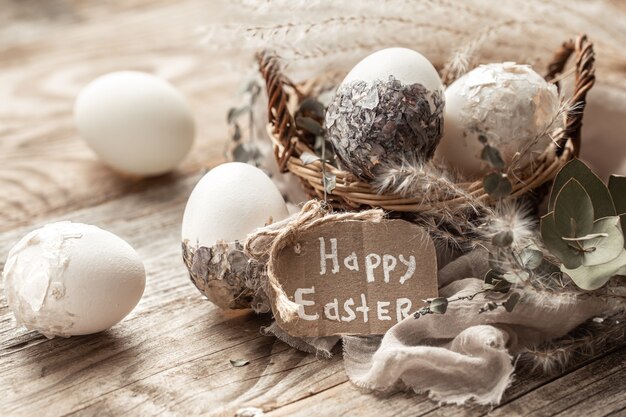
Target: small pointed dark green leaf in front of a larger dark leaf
{"points": [[573, 210]]}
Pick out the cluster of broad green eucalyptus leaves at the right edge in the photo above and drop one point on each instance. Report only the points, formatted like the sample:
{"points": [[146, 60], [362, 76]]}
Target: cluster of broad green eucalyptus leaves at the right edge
{"points": [[584, 227]]}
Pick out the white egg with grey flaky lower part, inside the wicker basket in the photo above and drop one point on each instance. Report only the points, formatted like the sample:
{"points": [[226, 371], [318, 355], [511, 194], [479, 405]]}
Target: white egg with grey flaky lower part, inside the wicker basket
{"points": [[388, 110]]}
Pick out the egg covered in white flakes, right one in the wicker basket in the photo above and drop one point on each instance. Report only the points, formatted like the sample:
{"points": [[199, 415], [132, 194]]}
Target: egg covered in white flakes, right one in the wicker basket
{"points": [[508, 105]]}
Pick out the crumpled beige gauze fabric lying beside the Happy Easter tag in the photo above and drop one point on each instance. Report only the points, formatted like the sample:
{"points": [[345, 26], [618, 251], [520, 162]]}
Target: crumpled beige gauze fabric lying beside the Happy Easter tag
{"points": [[463, 355]]}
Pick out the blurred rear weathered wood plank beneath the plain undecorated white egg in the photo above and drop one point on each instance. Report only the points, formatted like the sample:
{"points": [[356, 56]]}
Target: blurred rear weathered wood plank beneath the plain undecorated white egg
{"points": [[44, 165]]}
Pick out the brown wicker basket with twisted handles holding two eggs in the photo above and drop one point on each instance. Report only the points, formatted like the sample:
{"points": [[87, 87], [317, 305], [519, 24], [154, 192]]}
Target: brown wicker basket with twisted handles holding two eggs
{"points": [[351, 193]]}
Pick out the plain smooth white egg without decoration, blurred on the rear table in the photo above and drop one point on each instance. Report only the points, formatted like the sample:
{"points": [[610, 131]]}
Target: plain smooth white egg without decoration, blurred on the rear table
{"points": [[136, 123]]}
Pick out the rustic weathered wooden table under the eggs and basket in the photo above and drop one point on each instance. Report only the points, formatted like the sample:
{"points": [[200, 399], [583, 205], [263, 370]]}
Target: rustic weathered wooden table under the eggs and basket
{"points": [[171, 355]]}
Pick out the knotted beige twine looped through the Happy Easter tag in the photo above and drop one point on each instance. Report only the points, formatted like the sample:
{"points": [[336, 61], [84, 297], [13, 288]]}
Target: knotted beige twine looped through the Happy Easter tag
{"points": [[264, 246]]}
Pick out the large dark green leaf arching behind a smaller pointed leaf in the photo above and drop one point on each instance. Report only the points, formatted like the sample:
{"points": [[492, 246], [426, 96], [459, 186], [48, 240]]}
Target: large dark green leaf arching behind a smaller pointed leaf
{"points": [[595, 188]]}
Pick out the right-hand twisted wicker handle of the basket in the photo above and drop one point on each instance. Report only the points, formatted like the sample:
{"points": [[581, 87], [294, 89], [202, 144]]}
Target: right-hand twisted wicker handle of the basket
{"points": [[585, 78]]}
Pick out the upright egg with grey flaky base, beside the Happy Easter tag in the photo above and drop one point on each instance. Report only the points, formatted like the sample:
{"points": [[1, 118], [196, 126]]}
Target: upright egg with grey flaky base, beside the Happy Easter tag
{"points": [[227, 204]]}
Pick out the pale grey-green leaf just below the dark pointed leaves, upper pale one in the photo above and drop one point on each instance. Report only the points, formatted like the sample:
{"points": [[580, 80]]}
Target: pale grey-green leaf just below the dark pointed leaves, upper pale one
{"points": [[607, 246]]}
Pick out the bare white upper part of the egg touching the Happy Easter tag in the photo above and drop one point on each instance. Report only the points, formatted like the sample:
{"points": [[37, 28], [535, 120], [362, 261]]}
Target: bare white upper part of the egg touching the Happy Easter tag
{"points": [[228, 203]]}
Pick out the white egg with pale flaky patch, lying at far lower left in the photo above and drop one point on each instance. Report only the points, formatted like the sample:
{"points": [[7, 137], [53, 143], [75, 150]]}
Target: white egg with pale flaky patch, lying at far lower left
{"points": [[68, 279]]}
